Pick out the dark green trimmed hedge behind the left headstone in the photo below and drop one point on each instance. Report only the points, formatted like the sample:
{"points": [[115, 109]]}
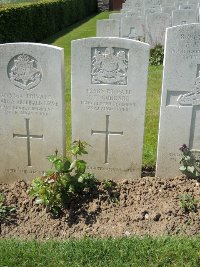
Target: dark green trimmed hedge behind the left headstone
{"points": [[33, 22]]}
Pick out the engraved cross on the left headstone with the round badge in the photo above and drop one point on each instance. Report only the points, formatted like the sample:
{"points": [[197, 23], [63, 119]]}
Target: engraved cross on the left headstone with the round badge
{"points": [[28, 137]]}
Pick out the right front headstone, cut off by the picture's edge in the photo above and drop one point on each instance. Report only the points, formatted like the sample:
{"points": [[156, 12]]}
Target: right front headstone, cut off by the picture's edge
{"points": [[180, 103]]}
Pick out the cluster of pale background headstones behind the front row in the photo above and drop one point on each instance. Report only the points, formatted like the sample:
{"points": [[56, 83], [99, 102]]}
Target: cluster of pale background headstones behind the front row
{"points": [[134, 22]]}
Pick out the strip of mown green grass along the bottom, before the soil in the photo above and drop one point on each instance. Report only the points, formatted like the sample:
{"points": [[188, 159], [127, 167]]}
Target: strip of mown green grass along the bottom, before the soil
{"points": [[123, 252]]}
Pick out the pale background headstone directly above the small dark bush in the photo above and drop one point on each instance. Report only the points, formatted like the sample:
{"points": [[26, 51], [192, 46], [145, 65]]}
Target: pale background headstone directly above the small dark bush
{"points": [[156, 25]]}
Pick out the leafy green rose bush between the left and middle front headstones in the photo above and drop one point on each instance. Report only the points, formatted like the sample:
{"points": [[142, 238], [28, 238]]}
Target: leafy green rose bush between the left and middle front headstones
{"points": [[68, 178]]}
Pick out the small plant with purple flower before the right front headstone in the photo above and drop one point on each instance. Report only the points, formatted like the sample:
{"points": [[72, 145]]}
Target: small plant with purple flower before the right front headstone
{"points": [[190, 165]]}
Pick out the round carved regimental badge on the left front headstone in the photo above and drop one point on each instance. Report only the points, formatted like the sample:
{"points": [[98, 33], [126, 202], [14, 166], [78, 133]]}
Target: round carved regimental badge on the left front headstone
{"points": [[24, 71]]}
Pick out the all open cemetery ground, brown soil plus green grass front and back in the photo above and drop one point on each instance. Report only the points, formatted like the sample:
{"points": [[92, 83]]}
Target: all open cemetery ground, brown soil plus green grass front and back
{"points": [[145, 206]]}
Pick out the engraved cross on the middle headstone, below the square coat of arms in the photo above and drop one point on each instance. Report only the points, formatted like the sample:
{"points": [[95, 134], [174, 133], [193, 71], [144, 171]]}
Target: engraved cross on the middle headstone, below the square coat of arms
{"points": [[107, 135]]}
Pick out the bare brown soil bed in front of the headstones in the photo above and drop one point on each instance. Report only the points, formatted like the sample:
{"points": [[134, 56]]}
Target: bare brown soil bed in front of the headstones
{"points": [[144, 206]]}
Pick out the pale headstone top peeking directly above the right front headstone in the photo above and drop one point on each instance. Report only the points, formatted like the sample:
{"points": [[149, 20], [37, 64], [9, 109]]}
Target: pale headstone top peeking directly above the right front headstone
{"points": [[180, 17]]}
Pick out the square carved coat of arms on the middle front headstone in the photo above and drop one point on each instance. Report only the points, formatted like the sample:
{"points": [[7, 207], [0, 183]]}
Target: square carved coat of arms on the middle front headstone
{"points": [[109, 66]]}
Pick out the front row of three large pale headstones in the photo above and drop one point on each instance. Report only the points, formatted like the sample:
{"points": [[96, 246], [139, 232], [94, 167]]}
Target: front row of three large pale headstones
{"points": [[108, 104]]}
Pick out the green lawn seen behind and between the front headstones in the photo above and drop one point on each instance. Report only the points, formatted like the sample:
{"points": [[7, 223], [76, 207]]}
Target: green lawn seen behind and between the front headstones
{"points": [[87, 28]]}
